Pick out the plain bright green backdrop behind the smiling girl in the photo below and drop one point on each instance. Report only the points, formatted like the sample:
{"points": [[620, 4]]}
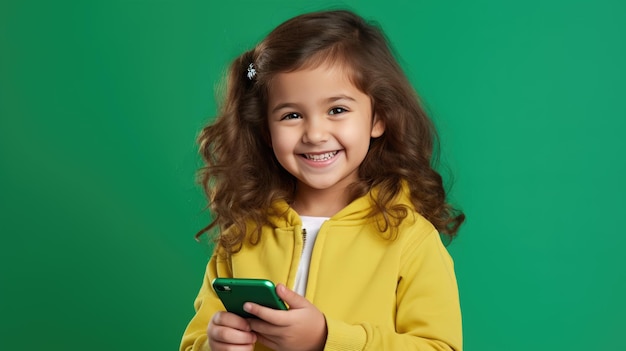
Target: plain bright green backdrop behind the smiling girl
{"points": [[101, 101]]}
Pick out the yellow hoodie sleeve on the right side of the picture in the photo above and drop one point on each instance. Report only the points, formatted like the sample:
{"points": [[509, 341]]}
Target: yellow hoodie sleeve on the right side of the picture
{"points": [[428, 315]]}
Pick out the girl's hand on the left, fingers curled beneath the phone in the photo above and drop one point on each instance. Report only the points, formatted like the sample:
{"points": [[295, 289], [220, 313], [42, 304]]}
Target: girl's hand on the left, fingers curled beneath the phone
{"points": [[228, 331]]}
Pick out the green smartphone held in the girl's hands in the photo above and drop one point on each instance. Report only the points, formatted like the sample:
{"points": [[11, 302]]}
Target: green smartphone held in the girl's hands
{"points": [[234, 292]]}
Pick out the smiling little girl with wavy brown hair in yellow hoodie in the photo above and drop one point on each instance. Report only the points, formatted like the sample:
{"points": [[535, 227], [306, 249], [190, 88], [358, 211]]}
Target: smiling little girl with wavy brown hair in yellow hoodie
{"points": [[318, 171]]}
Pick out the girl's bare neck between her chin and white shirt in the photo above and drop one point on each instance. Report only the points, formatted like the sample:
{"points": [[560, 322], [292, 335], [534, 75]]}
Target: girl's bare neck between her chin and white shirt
{"points": [[319, 203]]}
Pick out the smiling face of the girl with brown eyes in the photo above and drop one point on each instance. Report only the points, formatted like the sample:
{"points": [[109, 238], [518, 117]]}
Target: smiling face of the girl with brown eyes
{"points": [[320, 126]]}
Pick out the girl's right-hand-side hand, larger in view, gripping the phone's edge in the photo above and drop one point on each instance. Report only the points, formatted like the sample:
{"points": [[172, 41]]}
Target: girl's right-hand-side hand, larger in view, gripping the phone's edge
{"points": [[302, 328]]}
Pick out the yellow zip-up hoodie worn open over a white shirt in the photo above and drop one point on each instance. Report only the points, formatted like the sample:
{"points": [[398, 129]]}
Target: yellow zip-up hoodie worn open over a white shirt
{"points": [[376, 293]]}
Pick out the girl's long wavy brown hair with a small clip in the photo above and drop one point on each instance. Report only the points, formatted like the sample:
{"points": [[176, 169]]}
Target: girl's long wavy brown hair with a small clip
{"points": [[242, 177]]}
